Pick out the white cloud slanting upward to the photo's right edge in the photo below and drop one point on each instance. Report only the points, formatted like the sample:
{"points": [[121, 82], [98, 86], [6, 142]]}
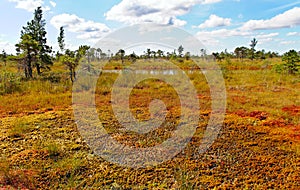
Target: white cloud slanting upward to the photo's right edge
{"points": [[288, 19]]}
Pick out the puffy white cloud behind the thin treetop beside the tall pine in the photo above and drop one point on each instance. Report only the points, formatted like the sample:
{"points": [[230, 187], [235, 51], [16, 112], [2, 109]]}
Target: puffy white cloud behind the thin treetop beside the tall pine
{"points": [[75, 24]]}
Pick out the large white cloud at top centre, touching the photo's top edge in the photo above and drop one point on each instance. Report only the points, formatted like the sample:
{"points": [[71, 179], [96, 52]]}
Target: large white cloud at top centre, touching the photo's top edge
{"points": [[154, 11]]}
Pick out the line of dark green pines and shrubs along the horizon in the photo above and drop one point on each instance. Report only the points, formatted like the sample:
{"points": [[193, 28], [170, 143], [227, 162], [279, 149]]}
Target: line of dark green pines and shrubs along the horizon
{"points": [[33, 53]]}
